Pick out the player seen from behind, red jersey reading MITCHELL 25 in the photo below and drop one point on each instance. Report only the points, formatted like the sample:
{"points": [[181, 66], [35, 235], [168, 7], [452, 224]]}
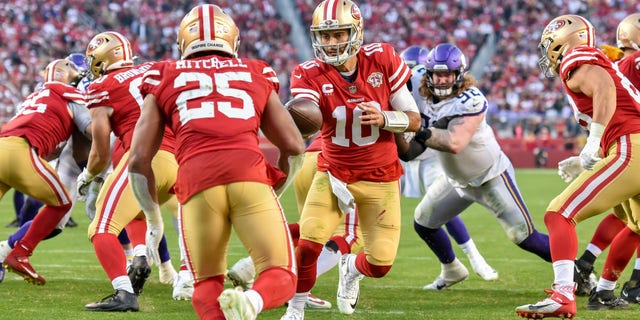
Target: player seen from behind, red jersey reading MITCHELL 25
{"points": [[216, 104]]}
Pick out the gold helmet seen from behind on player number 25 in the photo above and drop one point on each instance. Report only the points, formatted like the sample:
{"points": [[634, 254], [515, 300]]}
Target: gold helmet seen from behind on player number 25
{"points": [[208, 28]]}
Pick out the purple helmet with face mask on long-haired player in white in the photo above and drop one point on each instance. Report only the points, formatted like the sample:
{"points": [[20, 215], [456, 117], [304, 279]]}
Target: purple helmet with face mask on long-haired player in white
{"points": [[445, 58]]}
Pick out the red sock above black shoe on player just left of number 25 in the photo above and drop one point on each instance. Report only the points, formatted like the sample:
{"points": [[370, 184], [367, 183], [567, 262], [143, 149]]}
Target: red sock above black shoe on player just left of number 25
{"points": [[110, 254]]}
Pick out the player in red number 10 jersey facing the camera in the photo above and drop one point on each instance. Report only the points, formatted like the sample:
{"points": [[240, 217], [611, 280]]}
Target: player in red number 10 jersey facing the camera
{"points": [[361, 92]]}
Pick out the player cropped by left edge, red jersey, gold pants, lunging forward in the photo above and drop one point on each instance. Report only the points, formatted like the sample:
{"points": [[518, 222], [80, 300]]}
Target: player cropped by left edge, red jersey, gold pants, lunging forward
{"points": [[45, 121]]}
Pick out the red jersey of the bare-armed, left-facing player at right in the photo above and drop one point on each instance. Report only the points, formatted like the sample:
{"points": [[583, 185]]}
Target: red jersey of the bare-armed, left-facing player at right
{"points": [[626, 118]]}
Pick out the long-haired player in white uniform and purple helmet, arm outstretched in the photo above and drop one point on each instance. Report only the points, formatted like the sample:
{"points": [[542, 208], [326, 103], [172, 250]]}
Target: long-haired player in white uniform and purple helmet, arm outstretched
{"points": [[474, 166]]}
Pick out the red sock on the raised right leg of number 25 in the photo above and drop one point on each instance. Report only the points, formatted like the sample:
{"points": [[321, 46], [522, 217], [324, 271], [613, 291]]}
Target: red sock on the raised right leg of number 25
{"points": [[276, 286]]}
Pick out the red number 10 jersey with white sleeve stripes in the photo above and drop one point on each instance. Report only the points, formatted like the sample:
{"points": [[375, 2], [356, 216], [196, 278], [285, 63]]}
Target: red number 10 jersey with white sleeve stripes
{"points": [[351, 151]]}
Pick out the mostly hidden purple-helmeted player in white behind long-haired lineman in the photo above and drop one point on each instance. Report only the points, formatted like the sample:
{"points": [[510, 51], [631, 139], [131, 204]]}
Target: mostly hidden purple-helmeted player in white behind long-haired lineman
{"points": [[420, 172]]}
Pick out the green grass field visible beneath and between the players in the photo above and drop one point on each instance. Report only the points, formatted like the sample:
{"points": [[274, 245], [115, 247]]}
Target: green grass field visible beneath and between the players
{"points": [[74, 276]]}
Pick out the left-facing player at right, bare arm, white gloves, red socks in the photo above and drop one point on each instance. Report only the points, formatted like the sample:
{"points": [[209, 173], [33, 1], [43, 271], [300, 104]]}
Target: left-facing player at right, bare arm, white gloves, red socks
{"points": [[606, 103]]}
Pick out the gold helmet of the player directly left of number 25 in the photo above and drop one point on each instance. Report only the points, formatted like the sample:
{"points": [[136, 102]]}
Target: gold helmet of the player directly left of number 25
{"points": [[107, 51]]}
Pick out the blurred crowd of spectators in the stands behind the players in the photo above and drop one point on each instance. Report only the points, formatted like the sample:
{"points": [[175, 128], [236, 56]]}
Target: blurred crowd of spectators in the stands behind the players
{"points": [[523, 103]]}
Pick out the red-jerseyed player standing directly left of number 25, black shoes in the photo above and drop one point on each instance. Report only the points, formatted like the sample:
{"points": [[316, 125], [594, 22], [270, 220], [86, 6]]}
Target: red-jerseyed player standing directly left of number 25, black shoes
{"points": [[114, 102]]}
